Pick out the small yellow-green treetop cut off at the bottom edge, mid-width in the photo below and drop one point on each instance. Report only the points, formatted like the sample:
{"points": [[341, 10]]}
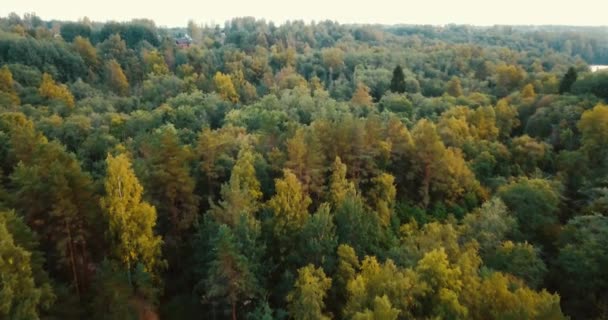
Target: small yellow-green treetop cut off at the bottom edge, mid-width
{"points": [[305, 302]]}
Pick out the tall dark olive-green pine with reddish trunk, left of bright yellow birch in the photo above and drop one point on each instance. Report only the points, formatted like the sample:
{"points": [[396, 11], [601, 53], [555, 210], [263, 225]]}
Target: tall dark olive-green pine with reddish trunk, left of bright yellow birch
{"points": [[56, 198]]}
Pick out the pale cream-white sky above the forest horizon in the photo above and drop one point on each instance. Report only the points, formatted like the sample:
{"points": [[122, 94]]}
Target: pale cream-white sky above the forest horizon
{"points": [[178, 12]]}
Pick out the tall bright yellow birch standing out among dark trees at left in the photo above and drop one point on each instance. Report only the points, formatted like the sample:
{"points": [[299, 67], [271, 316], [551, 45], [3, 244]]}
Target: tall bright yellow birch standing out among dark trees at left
{"points": [[131, 220]]}
